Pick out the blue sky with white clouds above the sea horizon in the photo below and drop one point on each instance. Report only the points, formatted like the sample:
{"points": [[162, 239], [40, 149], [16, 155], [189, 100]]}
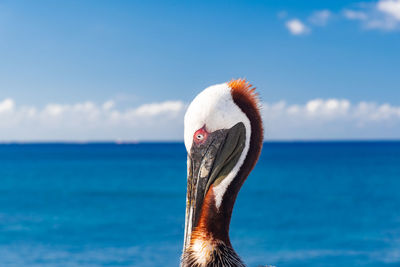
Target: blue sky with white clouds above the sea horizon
{"points": [[127, 70]]}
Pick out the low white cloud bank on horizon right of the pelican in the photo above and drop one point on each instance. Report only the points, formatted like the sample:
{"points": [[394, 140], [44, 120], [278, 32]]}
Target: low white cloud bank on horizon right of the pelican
{"points": [[331, 119]]}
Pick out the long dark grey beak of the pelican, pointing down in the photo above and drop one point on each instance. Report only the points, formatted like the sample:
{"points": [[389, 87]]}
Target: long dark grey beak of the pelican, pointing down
{"points": [[209, 163]]}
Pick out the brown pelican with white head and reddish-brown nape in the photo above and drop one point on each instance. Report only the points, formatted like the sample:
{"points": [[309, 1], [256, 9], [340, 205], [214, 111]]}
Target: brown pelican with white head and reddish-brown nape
{"points": [[223, 136]]}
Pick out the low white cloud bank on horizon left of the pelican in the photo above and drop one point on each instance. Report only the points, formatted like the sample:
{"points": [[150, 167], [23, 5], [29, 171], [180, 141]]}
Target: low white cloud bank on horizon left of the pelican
{"points": [[90, 121]]}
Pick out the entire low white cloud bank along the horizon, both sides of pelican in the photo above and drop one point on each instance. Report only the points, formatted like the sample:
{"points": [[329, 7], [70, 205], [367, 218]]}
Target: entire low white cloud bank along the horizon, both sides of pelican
{"points": [[88, 121]]}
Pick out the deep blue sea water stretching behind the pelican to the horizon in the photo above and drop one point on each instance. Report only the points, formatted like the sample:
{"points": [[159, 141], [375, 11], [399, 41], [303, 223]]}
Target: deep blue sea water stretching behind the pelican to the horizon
{"points": [[305, 204]]}
